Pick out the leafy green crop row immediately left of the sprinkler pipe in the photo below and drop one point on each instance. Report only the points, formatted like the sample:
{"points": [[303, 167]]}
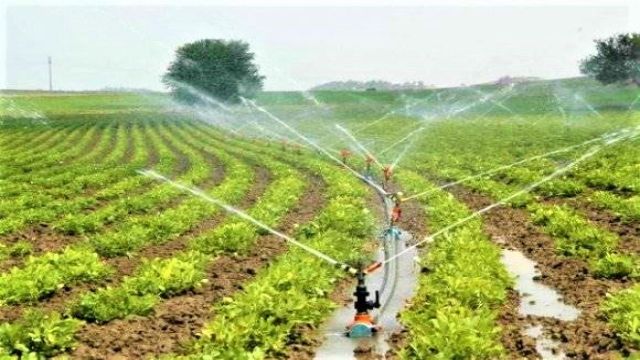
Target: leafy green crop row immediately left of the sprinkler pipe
{"points": [[293, 290]]}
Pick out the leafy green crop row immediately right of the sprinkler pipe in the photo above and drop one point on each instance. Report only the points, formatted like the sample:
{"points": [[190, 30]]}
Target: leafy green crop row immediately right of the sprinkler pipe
{"points": [[454, 313]]}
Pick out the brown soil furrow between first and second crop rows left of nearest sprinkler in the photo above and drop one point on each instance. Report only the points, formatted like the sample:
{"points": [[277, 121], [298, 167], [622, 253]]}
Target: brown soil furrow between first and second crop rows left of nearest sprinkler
{"points": [[178, 320]]}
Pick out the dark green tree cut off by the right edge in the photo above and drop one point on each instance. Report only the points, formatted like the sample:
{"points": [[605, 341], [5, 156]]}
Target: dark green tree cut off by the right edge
{"points": [[617, 60]]}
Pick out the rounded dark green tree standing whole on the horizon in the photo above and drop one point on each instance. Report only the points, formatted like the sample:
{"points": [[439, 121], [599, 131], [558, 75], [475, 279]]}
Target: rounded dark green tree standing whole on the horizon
{"points": [[218, 68]]}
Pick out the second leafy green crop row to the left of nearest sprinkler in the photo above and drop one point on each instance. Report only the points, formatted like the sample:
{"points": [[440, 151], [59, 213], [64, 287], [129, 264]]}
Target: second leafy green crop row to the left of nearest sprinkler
{"points": [[158, 278]]}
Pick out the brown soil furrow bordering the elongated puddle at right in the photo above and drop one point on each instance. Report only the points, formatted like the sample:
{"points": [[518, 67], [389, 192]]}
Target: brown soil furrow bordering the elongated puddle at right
{"points": [[588, 337]]}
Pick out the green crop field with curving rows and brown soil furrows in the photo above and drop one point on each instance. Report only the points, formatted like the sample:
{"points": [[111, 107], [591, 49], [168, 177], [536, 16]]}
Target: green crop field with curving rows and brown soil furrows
{"points": [[99, 261]]}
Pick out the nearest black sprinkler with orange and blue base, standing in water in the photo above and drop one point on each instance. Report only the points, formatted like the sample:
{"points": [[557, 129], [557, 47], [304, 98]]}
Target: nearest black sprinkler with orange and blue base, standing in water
{"points": [[363, 324]]}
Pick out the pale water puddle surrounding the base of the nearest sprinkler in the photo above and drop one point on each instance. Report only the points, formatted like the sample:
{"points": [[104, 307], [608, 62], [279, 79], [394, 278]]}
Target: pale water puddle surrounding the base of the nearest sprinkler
{"points": [[401, 283]]}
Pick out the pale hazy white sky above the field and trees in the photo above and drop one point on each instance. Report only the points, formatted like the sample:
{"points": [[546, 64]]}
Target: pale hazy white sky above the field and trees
{"points": [[296, 47]]}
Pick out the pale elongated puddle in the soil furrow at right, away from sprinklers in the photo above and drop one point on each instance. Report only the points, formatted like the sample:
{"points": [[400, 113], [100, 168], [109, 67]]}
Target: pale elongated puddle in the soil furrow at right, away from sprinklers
{"points": [[536, 298]]}
